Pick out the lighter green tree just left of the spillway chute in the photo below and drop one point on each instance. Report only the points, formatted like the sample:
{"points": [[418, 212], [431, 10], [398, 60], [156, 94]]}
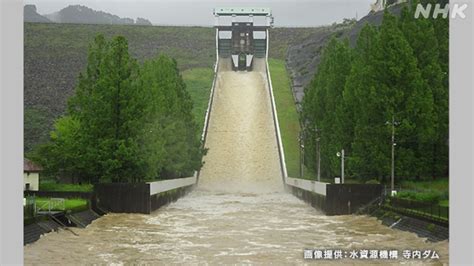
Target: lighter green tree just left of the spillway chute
{"points": [[169, 112]]}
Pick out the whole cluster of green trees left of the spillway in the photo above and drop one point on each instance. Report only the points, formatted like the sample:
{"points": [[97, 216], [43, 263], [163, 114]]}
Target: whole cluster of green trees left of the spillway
{"points": [[126, 122]]}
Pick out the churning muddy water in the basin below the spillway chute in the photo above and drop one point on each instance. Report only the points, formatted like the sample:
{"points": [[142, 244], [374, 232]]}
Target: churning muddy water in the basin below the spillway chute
{"points": [[215, 228]]}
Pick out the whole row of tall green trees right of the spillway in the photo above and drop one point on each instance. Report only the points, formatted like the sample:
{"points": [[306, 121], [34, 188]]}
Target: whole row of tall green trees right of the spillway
{"points": [[398, 70]]}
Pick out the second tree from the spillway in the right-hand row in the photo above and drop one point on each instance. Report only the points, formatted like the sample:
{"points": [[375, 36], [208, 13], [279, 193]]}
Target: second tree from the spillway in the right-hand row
{"points": [[369, 149]]}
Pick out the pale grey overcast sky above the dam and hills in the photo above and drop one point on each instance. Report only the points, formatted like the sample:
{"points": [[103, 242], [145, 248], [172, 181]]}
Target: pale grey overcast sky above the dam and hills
{"points": [[186, 12]]}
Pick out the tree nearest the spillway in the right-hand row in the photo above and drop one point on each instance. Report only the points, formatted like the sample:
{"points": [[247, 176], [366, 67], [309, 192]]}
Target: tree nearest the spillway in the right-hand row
{"points": [[323, 109]]}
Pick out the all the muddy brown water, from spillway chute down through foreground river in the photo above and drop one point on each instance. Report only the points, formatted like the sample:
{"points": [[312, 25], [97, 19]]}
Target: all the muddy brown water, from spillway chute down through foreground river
{"points": [[239, 213]]}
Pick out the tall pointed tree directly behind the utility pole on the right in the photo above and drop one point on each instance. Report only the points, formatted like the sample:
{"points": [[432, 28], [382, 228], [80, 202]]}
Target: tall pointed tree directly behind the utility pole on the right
{"points": [[406, 96]]}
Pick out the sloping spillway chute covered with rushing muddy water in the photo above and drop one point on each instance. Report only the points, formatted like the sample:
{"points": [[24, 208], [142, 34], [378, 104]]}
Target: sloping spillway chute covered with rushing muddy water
{"points": [[243, 153]]}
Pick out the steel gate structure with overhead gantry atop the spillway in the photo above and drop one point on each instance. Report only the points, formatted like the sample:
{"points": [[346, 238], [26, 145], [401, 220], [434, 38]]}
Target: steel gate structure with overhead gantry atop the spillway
{"points": [[242, 34]]}
